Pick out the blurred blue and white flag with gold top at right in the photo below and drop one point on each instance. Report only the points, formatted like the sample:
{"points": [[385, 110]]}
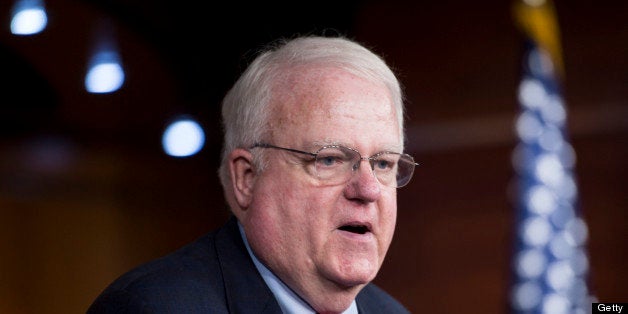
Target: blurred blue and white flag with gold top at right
{"points": [[550, 261]]}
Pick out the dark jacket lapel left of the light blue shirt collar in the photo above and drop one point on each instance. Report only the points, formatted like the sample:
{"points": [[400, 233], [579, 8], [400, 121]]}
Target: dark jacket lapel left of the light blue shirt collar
{"points": [[245, 289]]}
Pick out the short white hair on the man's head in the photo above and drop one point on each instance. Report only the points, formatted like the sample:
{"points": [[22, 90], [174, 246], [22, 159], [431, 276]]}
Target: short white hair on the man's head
{"points": [[245, 108]]}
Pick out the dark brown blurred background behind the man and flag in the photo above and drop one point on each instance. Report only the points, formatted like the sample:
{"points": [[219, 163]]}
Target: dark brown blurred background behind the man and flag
{"points": [[88, 191]]}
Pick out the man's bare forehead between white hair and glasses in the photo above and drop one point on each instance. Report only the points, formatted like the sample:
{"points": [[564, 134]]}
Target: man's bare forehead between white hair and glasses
{"points": [[332, 105]]}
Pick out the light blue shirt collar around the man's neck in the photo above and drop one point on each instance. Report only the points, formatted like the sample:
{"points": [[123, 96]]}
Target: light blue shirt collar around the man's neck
{"points": [[288, 300]]}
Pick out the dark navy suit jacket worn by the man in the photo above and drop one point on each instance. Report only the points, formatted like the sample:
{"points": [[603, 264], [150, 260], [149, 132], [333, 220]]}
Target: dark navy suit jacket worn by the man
{"points": [[214, 274]]}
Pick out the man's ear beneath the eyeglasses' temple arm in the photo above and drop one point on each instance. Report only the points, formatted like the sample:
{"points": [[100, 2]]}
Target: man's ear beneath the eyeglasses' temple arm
{"points": [[243, 175]]}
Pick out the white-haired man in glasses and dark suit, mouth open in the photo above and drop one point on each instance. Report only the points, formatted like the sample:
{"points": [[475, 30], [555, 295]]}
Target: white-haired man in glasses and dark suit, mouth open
{"points": [[311, 163]]}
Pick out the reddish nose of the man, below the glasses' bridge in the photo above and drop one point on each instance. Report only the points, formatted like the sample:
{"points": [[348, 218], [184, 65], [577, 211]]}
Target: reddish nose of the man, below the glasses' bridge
{"points": [[363, 185]]}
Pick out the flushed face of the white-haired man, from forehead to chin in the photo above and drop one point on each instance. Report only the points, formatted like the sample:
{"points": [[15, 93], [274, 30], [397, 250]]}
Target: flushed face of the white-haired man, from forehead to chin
{"points": [[317, 237]]}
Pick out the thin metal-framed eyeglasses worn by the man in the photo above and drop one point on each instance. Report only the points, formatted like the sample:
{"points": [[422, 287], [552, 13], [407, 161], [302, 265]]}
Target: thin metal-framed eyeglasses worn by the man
{"points": [[335, 164]]}
